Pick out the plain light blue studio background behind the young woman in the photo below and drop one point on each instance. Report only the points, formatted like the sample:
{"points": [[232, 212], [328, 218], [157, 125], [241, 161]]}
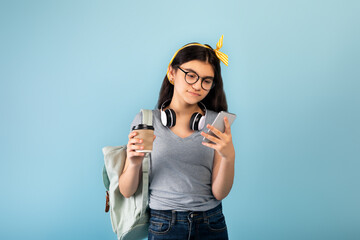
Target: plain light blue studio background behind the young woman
{"points": [[75, 73]]}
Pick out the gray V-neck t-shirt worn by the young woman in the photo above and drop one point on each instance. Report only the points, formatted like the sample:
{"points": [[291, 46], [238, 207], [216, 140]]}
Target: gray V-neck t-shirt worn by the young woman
{"points": [[181, 168]]}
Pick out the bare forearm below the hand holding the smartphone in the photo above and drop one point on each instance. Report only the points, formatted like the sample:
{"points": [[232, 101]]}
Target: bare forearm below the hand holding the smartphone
{"points": [[223, 182]]}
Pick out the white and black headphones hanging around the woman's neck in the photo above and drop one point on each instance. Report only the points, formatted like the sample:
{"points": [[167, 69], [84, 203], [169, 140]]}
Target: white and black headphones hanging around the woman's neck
{"points": [[168, 118]]}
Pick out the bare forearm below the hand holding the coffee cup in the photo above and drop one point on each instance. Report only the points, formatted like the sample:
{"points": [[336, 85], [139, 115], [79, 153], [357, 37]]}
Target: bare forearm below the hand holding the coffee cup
{"points": [[129, 180]]}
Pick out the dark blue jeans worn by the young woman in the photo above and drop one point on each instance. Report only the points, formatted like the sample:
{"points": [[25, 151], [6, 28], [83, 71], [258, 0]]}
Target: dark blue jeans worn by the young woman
{"points": [[188, 225]]}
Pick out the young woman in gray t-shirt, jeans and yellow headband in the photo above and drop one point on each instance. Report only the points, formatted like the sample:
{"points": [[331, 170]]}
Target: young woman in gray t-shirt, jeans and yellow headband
{"points": [[188, 177]]}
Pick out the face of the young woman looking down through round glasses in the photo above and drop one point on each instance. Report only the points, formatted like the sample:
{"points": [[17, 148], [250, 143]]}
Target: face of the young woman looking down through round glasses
{"points": [[191, 93]]}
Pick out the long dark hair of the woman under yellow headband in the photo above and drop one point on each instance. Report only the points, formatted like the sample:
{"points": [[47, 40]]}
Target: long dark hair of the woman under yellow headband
{"points": [[216, 99]]}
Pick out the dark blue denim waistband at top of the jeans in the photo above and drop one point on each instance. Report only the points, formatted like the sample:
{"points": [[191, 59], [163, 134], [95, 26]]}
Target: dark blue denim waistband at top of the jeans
{"points": [[185, 215]]}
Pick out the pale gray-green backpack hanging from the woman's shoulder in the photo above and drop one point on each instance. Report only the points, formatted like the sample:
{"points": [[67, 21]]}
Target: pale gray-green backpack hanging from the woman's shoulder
{"points": [[129, 216]]}
